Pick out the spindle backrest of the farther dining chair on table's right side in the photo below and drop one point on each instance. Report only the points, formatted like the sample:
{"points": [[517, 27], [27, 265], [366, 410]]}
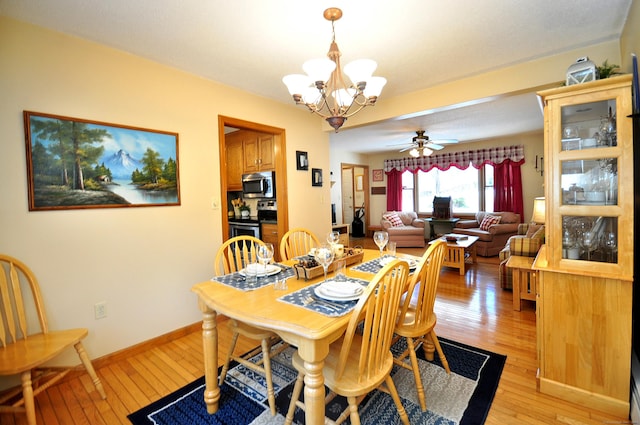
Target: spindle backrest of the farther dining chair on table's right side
{"points": [[422, 288]]}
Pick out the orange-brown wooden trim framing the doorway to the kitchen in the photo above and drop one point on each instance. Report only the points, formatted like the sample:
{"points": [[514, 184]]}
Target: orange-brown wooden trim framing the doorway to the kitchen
{"points": [[280, 158]]}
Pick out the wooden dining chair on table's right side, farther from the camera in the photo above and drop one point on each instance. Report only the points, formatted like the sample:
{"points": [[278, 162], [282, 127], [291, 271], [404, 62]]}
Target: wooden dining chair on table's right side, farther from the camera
{"points": [[416, 318]]}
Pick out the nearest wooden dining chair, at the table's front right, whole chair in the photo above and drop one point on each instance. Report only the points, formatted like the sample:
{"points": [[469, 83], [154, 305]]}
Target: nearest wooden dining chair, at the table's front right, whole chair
{"points": [[361, 360]]}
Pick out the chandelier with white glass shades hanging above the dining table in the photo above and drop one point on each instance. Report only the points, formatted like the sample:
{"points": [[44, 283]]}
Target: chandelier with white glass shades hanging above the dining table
{"points": [[324, 90]]}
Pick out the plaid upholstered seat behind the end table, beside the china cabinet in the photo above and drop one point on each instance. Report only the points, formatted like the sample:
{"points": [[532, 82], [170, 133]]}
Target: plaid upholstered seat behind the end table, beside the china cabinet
{"points": [[526, 243]]}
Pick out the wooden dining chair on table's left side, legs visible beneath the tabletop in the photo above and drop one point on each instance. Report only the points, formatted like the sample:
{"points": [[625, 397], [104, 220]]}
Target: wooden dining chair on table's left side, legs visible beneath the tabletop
{"points": [[233, 256]]}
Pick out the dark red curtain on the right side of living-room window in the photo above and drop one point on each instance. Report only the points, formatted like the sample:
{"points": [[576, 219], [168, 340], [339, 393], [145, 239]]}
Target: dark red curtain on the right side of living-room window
{"points": [[507, 184]]}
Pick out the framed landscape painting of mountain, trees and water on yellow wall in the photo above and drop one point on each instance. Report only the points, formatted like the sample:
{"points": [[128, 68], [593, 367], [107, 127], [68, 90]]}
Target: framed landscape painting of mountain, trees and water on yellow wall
{"points": [[74, 163]]}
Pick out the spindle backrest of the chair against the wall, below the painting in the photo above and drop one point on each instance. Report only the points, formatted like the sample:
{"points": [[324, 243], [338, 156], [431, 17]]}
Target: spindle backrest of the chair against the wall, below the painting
{"points": [[18, 285]]}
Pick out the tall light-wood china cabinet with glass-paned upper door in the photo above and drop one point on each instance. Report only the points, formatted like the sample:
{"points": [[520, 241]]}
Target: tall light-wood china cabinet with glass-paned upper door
{"points": [[584, 299]]}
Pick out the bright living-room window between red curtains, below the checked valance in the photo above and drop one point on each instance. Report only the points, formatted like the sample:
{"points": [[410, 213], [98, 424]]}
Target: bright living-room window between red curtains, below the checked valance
{"points": [[471, 190]]}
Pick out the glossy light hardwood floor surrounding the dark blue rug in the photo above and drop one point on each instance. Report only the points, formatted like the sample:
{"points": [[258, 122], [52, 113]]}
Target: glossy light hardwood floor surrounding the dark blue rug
{"points": [[471, 309]]}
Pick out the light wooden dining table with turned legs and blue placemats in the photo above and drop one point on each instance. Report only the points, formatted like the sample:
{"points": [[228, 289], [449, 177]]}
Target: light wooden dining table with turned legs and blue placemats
{"points": [[309, 327]]}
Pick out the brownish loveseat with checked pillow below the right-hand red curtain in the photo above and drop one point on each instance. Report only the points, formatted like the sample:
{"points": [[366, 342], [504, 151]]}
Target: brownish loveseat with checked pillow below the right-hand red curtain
{"points": [[492, 232]]}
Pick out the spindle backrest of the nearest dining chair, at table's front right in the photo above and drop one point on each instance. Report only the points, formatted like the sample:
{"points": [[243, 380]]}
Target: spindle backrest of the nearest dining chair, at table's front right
{"points": [[373, 321]]}
